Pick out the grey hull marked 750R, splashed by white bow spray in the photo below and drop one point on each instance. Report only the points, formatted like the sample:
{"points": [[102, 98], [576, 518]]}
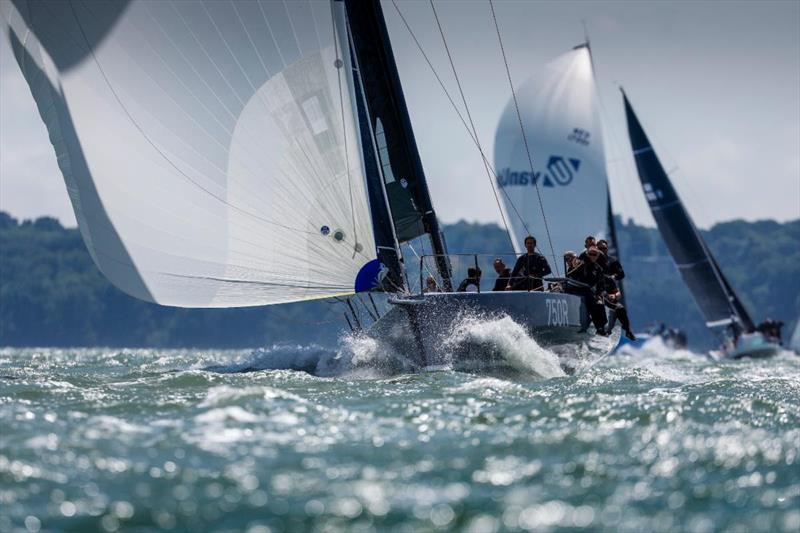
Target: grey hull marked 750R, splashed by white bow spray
{"points": [[422, 328]]}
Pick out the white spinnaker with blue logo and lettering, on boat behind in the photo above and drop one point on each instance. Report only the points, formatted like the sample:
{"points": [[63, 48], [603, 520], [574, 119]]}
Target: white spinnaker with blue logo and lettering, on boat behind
{"points": [[559, 110]]}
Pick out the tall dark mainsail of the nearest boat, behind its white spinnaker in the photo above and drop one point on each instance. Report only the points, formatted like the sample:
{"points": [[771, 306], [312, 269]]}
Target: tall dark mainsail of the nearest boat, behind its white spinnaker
{"points": [[404, 178]]}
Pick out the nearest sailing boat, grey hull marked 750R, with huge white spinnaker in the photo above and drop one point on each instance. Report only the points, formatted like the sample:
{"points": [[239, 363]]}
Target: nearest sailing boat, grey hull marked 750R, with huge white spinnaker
{"points": [[250, 153]]}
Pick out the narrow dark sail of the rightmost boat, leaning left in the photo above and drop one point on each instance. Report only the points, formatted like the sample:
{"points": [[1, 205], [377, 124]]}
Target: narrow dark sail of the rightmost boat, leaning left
{"points": [[711, 291]]}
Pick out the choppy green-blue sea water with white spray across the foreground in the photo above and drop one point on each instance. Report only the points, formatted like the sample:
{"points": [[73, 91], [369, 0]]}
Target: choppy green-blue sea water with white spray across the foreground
{"points": [[105, 439]]}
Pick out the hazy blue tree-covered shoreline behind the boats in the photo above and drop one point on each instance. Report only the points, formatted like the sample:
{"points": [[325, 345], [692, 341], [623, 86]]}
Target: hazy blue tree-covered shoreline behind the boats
{"points": [[51, 293]]}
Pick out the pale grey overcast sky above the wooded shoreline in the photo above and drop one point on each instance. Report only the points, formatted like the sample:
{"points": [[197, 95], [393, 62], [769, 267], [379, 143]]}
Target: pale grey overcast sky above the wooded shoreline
{"points": [[716, 85]]}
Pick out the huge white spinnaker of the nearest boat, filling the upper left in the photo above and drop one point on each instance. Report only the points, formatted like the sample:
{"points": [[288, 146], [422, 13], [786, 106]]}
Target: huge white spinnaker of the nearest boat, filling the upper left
{"points": [[209, 148]]}
